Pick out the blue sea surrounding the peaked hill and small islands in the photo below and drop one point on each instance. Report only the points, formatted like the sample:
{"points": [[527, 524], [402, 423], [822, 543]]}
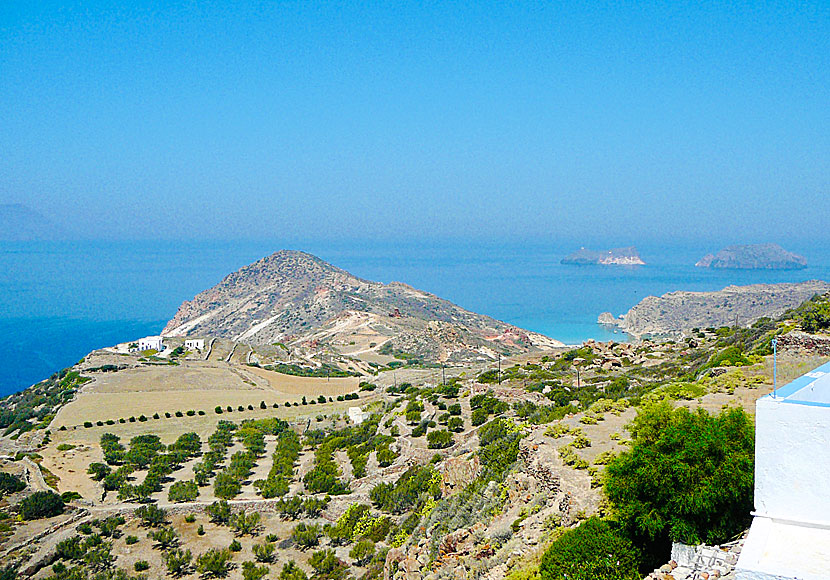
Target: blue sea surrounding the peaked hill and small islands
{"points": [[60, 300]]}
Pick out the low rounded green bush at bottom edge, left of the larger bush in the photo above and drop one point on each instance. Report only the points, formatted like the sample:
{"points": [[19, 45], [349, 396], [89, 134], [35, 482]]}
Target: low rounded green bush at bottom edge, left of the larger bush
{"points": [[592, 550]]}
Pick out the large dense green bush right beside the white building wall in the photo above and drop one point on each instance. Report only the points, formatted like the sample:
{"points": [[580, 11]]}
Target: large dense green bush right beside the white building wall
{"points": [[687, 477]]}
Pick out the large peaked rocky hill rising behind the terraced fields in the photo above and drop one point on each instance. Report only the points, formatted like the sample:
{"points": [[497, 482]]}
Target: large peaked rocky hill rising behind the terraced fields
{"points": [[294, 297]]}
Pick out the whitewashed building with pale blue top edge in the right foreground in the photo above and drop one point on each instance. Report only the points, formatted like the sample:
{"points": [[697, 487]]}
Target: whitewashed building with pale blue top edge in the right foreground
{"points": [[790, 534]]}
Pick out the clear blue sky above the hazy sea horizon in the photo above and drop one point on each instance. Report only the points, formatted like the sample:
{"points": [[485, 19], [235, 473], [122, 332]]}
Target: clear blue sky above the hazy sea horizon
{"points": [[617, 121]]}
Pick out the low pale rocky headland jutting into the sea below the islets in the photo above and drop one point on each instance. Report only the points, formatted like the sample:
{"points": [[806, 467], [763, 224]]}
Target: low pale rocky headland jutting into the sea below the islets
{"points": [[678, 312]]}
